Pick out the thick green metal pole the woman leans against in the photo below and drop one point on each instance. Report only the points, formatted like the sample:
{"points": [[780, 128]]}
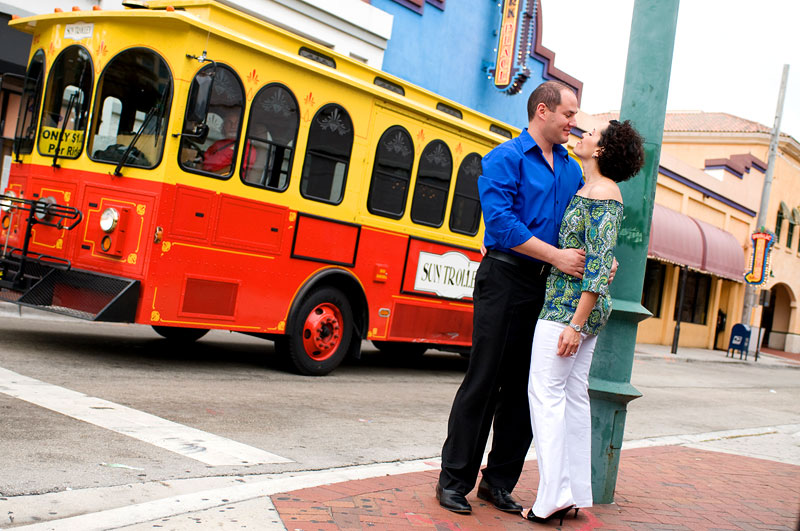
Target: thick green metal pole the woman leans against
{"points": [[644, 103]]}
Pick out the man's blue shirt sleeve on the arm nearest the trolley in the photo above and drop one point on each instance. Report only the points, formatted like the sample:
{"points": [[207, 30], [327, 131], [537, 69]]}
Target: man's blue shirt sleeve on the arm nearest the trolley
{"points": [[498, 188]]}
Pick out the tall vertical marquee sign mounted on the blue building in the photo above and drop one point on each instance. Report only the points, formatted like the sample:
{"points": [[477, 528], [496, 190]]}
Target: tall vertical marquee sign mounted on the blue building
{"points": [[514, 45]]}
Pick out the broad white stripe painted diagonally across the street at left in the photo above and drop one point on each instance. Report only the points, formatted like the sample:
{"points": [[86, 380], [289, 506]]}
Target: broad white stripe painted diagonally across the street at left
{"points": [[189, 442]]}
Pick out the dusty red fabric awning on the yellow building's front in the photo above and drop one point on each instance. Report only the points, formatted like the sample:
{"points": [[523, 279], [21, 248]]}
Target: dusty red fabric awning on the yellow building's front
{"points": [[683, 240]]}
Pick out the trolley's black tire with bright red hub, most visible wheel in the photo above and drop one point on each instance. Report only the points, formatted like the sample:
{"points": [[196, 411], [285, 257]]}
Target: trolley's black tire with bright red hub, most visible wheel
{"points": [[319, 335]]}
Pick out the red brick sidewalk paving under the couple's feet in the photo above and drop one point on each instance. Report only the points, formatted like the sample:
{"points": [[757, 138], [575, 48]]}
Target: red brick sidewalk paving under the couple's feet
{"points": [[661, 488]]}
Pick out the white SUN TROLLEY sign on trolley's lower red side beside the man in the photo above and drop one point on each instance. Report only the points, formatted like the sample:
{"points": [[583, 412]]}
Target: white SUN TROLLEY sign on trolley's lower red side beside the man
{"points": [[450, 275]]}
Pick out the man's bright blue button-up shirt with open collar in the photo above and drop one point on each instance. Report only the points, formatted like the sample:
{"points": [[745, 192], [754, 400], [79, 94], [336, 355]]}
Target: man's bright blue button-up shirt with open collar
{"points": [[522, 196]]}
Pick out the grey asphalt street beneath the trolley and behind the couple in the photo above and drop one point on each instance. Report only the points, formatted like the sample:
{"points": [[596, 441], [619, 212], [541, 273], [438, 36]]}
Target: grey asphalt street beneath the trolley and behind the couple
{"points": [[377, 413]]}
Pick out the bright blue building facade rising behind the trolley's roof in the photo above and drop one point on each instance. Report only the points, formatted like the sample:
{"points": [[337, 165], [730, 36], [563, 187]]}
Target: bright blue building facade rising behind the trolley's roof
{"points": [[450, 47]]}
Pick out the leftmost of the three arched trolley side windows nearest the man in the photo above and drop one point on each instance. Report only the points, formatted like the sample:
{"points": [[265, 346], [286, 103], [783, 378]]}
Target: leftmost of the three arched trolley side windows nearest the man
{"points": [[391, 173]]}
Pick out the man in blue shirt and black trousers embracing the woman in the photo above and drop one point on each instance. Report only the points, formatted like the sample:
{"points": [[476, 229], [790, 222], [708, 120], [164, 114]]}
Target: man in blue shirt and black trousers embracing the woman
{"points": [[524, 190]]}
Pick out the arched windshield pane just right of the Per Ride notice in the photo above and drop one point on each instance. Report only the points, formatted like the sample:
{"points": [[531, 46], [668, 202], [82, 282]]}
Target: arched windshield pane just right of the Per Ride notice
{"points": [[131, 109]]}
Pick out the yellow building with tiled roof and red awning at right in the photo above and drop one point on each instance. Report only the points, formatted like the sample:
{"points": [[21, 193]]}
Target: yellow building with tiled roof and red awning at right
{"points": [[708, 193]]}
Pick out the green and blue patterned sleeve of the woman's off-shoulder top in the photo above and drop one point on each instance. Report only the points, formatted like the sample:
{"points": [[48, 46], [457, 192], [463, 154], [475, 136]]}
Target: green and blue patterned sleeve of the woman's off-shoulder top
{"points": [[601, 227]]}
